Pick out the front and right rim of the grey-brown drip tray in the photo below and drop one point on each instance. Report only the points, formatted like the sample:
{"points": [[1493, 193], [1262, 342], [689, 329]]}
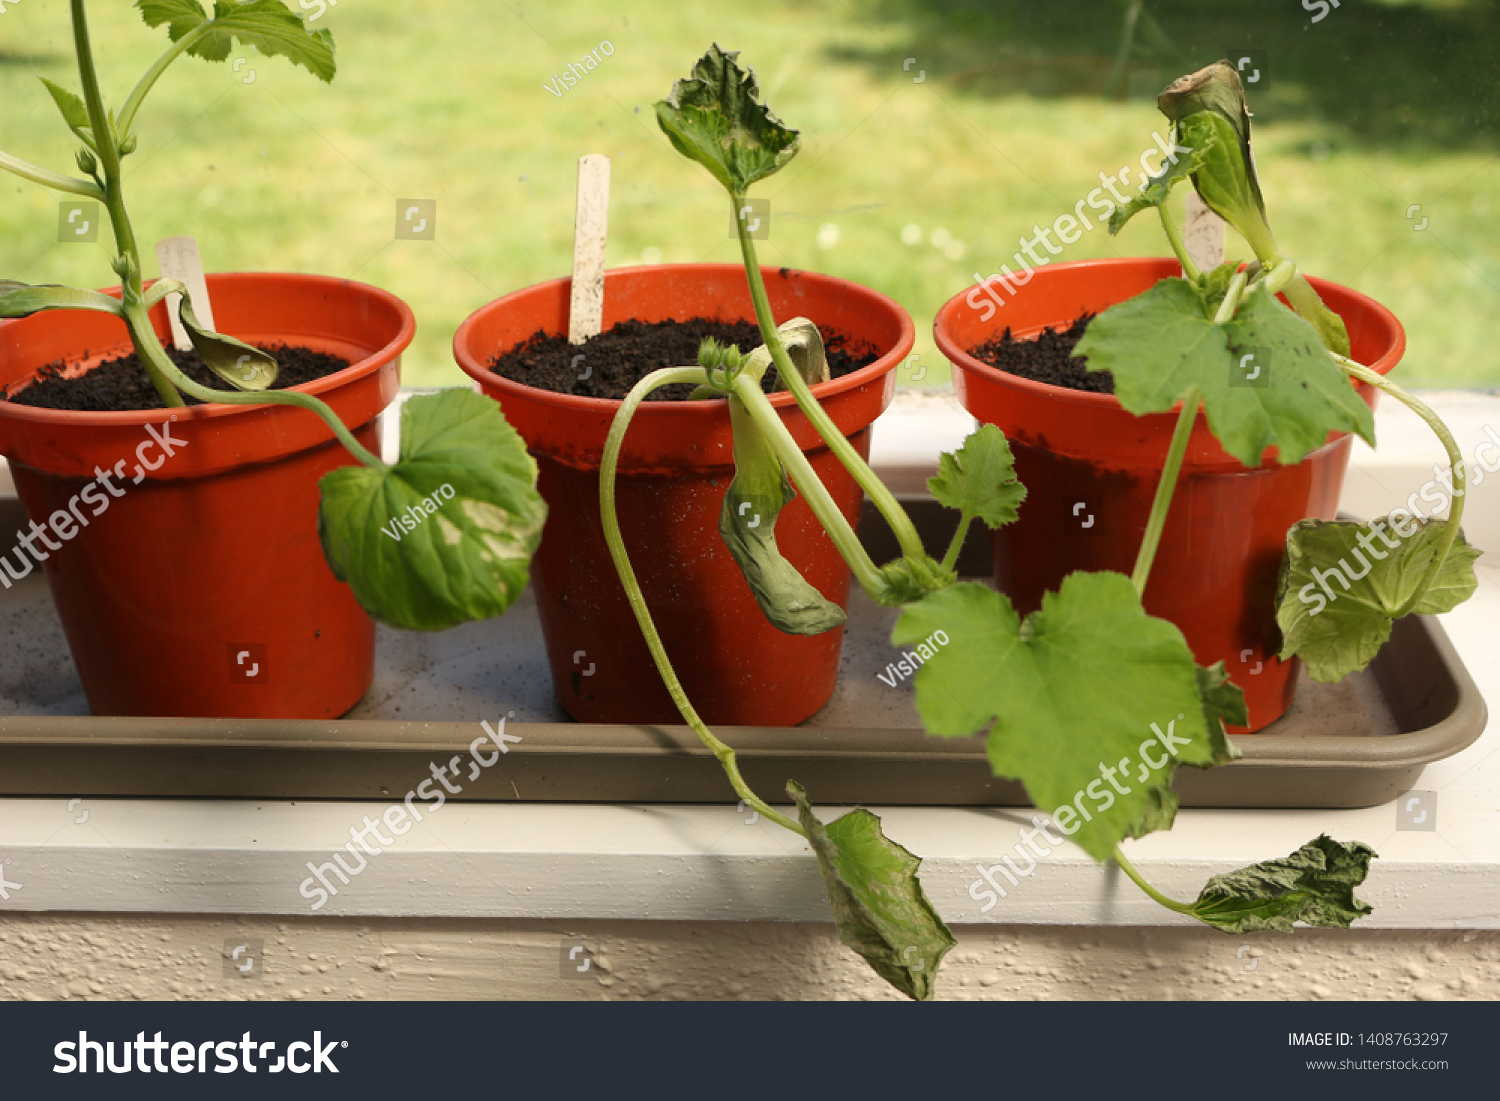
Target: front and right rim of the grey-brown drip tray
{"points": [[1262, 754]]}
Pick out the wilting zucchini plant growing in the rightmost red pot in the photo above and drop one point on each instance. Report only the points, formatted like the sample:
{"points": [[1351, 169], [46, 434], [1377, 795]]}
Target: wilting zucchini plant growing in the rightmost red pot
{"points": [[1178, 343]]}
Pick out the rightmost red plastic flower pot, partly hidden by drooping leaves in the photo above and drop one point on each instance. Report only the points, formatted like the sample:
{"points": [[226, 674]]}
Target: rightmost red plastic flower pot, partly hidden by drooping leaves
{"points": [[1091, 472]]}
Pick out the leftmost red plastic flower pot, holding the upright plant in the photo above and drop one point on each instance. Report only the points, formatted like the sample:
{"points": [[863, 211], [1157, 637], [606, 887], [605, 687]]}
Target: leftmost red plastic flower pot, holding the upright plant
{"points": [[190, 578]]}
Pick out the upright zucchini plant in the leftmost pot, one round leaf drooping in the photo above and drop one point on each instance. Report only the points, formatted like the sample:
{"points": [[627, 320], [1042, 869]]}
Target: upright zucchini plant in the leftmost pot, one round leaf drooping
{"points": [[473, 560]]}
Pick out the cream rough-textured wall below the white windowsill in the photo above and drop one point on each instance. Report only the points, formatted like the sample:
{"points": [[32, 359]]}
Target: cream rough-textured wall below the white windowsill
{"points": [[58, 956]]}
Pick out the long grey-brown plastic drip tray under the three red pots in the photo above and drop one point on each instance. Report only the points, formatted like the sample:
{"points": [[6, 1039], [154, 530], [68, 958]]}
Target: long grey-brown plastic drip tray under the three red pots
{"points": [[1352, 745]]}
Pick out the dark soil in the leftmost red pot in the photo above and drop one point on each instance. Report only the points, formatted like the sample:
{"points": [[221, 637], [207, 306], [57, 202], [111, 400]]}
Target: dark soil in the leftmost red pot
{"points": [[121, 385]]}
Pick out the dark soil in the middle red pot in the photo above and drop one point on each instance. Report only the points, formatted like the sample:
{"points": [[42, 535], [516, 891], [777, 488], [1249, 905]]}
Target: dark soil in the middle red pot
{"points": [[632, 350]]}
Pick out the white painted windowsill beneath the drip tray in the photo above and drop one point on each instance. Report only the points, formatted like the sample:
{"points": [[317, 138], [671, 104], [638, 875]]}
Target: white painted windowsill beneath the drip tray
{"points": [[710, 865]]}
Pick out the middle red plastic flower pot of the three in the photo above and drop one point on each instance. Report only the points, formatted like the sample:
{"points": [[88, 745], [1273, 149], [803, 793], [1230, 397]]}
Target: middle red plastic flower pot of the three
{"points": [[674, 470]]}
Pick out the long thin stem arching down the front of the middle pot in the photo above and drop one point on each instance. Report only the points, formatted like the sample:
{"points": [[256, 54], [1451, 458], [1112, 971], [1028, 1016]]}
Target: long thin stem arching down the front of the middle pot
{"points": [[638, 602]]}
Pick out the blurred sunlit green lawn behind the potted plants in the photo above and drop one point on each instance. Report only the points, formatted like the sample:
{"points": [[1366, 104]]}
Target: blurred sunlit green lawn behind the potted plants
{"points": [[901, 185]]}
